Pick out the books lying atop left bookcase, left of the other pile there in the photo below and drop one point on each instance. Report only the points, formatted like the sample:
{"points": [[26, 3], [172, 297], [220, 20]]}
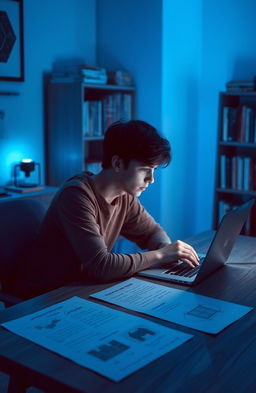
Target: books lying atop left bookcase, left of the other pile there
{"points": [[83, 72]]}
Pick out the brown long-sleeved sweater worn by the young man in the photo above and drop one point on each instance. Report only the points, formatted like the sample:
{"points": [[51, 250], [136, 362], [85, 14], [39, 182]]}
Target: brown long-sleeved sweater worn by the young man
{"points": [[78, 233]]}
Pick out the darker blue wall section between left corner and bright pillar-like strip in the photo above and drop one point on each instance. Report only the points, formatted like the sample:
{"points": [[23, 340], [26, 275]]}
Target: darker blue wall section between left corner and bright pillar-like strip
{"points": [[130, 37]]}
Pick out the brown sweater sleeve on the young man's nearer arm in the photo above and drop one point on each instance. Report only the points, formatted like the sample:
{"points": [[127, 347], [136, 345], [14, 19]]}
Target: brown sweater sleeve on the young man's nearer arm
{"points": [[76, 215]]}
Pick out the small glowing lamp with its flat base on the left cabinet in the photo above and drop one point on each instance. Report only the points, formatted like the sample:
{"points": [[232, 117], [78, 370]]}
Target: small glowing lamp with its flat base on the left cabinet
{"points": [[27, 165]]}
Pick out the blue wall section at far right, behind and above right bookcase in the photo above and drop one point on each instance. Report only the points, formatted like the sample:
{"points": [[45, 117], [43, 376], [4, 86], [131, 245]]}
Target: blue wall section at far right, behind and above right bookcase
{"points": [[228, 52]]}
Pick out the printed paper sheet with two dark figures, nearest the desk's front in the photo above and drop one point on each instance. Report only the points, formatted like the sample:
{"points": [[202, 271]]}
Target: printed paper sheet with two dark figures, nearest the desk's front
{"points": [[110, 342]]}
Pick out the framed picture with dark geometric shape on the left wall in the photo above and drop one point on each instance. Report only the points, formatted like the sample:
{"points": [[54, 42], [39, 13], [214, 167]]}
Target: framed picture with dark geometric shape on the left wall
{"points": [[11, 41]]}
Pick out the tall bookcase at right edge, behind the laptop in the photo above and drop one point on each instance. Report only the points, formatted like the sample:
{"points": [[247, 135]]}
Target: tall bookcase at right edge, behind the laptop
{"points": [[236, 156]]}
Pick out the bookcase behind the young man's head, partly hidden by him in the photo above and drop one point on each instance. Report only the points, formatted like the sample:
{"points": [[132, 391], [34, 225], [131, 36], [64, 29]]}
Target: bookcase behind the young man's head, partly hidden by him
{"points": [[77, 116]]}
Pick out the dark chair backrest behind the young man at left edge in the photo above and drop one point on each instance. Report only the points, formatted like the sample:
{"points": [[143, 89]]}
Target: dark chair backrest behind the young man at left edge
{"points": [[19, 222]]}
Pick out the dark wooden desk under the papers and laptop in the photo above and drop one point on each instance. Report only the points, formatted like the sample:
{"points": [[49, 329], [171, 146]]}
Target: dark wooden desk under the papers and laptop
{"points": [[212, 364]]}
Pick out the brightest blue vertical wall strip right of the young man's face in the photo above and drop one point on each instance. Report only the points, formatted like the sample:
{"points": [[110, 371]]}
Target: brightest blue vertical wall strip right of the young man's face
{"points": [[180, 113]]}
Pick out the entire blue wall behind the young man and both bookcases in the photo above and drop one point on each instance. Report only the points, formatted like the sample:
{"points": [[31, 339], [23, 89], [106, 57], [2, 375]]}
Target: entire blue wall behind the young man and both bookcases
{"points": [[181, 55]]}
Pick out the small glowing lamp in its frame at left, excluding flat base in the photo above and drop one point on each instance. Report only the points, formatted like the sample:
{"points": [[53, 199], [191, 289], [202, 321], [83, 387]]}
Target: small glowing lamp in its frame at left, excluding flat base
{"points": [[27, 165]]}
